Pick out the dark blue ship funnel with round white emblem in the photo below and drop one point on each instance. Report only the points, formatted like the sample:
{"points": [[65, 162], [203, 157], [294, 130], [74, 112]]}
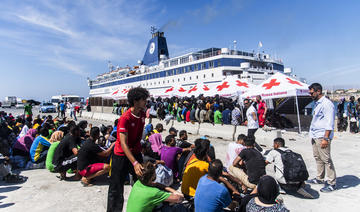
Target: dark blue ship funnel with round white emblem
{"points": [[157, 46]]}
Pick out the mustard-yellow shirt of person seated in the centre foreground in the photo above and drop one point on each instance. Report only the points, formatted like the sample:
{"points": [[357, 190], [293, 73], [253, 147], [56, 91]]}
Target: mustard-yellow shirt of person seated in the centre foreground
{"points": [[192, 174]]}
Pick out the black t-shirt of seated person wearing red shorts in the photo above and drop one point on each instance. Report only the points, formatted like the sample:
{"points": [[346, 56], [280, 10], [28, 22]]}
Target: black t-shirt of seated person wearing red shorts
{"points": [[88, 154]]}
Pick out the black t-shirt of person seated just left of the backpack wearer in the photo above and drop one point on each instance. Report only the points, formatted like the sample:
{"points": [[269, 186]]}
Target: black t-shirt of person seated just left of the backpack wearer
{"points": [[255, 164]]}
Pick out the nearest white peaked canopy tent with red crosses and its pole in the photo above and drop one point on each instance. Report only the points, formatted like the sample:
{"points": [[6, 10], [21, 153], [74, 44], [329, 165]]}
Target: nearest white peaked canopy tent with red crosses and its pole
{"points": [[279, 86]]}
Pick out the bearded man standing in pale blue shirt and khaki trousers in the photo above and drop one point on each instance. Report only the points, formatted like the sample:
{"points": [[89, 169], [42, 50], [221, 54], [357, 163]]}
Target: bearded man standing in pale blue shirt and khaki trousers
{"points": [[321, 133]]}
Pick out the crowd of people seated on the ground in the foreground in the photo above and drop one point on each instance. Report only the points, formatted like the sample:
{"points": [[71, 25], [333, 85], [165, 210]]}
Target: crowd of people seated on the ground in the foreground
{"points": [[177, 171]]}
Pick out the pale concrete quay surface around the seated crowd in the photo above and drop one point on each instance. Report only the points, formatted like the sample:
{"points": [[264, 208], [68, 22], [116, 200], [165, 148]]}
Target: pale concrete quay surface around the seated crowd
{"points": [[44, 192]]}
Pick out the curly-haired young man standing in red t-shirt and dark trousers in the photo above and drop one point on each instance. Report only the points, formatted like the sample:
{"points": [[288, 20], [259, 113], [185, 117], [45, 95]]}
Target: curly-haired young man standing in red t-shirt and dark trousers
{"points": [[127, 156]]}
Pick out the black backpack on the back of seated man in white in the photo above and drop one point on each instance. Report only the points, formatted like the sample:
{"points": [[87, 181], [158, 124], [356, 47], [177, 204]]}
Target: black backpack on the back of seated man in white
{"points": [[294, 167]]}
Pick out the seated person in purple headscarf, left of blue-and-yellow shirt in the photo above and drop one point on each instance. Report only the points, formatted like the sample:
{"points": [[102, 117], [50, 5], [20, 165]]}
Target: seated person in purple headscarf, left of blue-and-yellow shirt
{"points": [[22, 145]]}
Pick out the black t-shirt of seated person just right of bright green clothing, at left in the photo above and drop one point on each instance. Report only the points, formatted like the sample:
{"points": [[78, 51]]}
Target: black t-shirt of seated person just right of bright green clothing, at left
{"points": [[64, 150]]}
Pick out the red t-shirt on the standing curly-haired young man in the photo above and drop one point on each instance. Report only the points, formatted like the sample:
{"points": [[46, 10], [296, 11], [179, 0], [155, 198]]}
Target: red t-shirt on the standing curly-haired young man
{"points": [[134, 126]]}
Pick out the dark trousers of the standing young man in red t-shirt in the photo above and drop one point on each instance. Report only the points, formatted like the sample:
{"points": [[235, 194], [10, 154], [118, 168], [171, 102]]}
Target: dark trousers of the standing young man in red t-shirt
{"points": [[120, 168]]}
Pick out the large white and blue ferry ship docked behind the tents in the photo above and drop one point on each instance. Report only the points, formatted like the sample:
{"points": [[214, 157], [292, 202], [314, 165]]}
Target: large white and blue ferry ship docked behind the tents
{"points": [[157, 71]]}
